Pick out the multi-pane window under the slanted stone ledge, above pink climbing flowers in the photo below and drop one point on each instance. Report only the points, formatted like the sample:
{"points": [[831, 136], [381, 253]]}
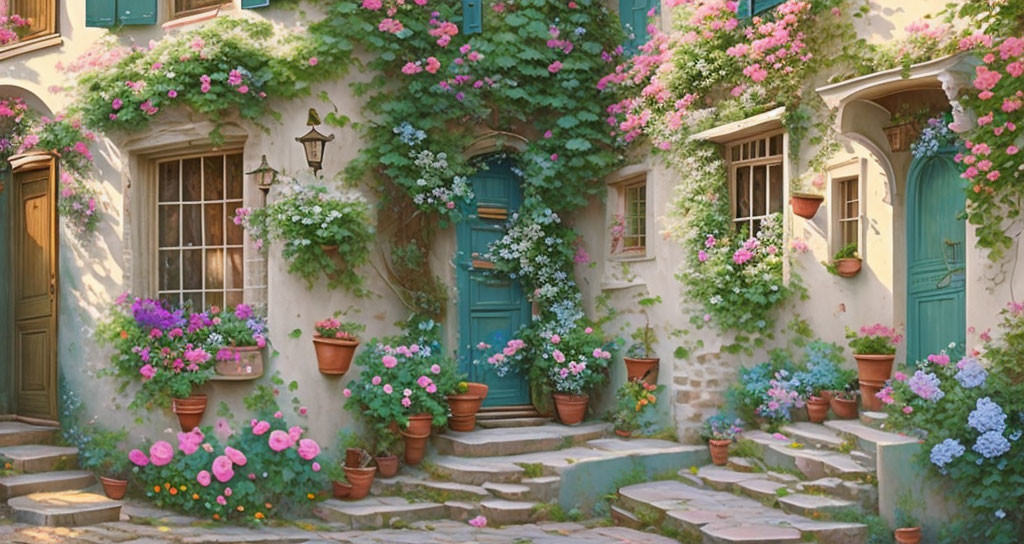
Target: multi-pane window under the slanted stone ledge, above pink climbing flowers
{"points": [[756, 181]]}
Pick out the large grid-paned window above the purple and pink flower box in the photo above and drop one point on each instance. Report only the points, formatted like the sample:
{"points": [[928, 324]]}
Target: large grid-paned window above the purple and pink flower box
{"points": [[200, 258]]}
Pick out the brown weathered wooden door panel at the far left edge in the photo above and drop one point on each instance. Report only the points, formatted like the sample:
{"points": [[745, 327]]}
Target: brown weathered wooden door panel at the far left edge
{"points": [[33, 284]]}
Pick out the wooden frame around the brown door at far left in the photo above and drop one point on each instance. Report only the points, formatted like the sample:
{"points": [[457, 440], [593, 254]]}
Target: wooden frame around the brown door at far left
{"points": [[20, 164]]}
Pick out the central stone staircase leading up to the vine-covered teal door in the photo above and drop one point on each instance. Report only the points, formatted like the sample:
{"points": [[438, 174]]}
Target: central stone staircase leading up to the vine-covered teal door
{"points": [[513, 476]]}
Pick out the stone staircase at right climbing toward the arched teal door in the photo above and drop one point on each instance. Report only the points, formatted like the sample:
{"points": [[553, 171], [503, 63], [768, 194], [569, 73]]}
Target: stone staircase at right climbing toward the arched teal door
{"points": [[808, 483]]}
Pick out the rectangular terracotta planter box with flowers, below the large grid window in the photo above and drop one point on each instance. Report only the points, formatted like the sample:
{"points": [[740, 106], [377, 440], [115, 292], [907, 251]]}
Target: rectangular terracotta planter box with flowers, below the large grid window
{"points": [[239, 337]]}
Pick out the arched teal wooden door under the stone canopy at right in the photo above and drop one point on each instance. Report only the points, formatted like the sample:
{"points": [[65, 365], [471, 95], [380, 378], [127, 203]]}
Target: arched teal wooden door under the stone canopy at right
{"points": [[936, 314]]}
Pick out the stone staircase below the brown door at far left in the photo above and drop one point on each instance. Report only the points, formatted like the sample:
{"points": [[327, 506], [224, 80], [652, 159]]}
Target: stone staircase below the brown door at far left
{"points": [[47, 489]]}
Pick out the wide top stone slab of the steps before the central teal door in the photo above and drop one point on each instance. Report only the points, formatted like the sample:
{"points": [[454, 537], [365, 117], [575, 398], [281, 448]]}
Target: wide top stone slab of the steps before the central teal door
{"points": [[493, 443]]}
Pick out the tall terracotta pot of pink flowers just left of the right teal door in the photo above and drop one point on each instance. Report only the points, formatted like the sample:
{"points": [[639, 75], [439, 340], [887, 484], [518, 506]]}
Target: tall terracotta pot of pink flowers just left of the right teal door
{"points": [[874, 349]]}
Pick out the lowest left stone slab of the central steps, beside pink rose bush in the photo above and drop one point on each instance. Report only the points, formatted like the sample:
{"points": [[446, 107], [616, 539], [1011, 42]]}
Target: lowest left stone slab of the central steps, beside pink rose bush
{"points": [[377, 513]]}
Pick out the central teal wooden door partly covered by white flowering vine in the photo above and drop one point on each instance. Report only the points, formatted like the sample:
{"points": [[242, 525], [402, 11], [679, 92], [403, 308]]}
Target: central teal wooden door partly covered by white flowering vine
{"points": [[491, 309]]}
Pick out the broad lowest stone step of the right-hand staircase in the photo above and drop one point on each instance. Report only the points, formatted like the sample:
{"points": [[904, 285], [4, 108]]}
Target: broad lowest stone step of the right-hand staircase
{"points": [[715, 517]]}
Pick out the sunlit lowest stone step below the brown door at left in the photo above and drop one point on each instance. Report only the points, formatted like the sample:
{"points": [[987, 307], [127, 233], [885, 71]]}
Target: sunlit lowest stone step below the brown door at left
{"points": [[64, 509]]}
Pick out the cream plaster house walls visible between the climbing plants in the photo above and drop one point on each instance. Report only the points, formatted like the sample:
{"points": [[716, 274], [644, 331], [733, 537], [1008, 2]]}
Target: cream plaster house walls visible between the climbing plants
{"points": [[121, 258]]}
